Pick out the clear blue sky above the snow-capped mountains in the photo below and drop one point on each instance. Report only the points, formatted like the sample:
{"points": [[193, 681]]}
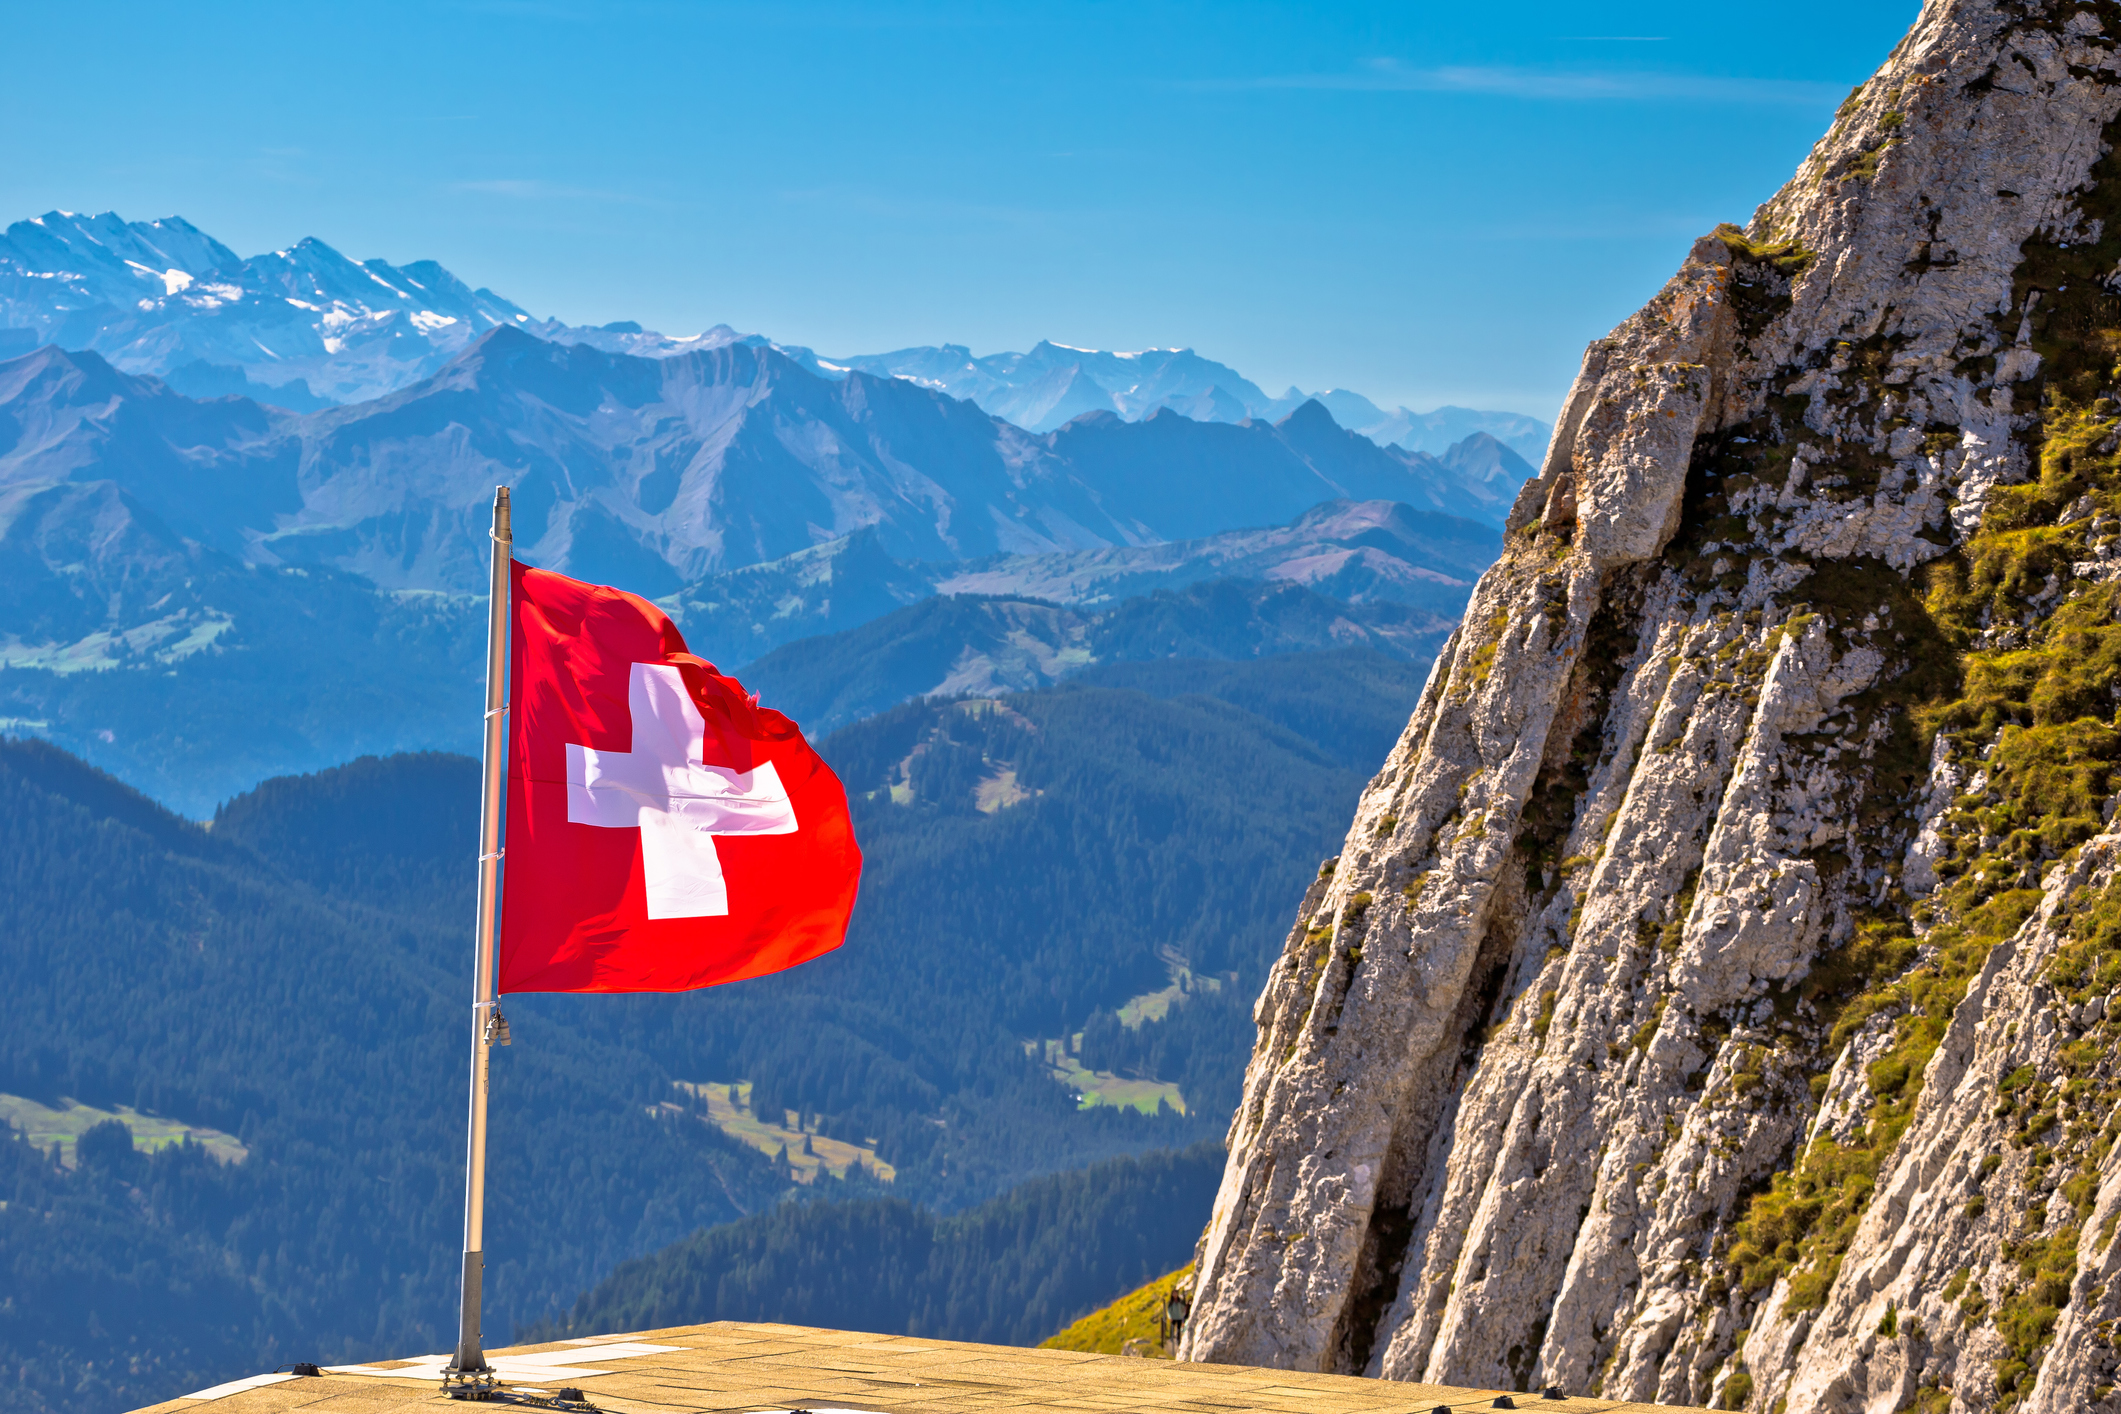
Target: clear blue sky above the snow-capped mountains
{"points": [[1422, 202]]}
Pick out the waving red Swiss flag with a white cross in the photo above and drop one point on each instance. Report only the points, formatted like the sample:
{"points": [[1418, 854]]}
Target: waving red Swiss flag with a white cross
{"points": [[665, 830]]}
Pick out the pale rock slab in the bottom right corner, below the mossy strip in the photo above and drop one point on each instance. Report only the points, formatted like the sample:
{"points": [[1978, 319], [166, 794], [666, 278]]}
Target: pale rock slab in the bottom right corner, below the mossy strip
{"points": [[1986, 1262]]}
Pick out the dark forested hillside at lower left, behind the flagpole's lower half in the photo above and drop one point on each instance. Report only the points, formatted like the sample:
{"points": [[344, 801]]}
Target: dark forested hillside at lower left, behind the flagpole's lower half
{"points": [[169, 968]]}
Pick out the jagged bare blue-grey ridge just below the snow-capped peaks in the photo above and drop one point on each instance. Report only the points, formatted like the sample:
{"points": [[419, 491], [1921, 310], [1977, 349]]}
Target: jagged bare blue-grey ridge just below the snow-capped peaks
{"points": [[656, 472]]}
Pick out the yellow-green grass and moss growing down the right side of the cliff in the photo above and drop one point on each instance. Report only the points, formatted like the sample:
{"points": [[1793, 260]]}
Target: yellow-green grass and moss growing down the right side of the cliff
{"points": [[2031, 728]]}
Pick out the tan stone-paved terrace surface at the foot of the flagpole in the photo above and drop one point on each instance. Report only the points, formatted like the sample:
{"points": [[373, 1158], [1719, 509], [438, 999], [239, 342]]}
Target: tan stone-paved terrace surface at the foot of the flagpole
{"points": [[735, 1366]]}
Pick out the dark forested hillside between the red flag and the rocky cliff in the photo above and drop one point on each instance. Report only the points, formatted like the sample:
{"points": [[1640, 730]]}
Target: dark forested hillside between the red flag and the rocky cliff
{"points": [[1034, 862]]}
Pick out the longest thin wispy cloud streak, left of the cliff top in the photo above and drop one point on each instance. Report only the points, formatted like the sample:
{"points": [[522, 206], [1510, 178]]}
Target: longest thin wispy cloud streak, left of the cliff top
{"points": [[1549, 86]]}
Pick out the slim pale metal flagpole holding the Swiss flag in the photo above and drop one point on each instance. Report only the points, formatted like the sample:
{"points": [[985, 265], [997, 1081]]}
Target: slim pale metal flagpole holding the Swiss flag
{"points": [[487, 1025]]}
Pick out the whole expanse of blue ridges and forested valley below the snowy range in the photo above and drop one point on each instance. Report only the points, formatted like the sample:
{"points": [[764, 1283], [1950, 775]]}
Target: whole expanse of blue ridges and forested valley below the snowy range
{"points": [[1093, 749]]}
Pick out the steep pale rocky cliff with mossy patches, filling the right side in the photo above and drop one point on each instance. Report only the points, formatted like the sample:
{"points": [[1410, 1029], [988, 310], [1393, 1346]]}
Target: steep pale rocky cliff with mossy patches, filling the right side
{"points": [[1711, 1002]]}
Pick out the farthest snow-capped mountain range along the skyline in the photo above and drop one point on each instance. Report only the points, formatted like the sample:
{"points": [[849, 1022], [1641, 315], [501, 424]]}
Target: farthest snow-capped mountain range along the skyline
{"points": [[309, 328]]}
